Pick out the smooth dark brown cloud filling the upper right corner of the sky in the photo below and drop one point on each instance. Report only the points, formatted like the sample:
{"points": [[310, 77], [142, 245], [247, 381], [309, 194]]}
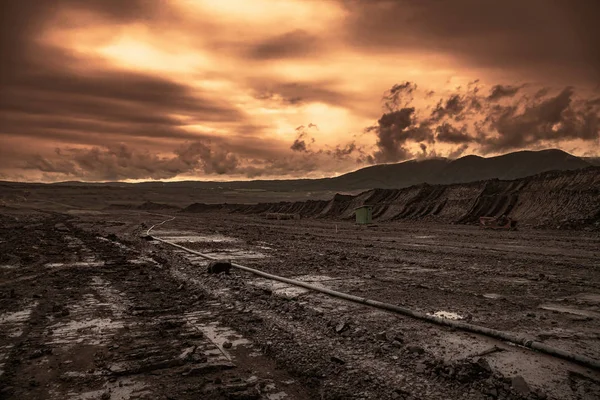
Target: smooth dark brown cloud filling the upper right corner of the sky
{"points": [[559, 37]]}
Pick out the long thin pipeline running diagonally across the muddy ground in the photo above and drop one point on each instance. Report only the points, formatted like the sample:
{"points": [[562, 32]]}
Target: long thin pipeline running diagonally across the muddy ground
{"points": [[493, 333]]}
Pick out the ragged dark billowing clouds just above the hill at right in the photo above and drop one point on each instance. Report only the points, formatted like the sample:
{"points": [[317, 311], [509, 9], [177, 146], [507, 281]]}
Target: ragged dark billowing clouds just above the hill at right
{"points": [[518, 122]]}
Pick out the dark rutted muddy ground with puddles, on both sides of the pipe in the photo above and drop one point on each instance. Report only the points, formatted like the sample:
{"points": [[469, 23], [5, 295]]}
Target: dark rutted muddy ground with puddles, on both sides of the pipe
{"points": [[88, 310]]}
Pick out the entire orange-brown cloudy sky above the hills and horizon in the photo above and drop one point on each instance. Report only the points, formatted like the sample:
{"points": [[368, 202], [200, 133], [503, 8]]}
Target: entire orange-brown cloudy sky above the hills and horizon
{"points": [[107, 90]]}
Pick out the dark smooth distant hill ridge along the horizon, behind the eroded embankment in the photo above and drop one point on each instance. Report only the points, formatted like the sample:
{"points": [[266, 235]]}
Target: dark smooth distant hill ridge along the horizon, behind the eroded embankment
{"points": [[400, 175]]}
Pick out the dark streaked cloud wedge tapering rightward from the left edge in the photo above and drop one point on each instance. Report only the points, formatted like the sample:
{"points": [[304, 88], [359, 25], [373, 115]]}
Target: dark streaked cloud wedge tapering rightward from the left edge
{"points": [[113, 102]]}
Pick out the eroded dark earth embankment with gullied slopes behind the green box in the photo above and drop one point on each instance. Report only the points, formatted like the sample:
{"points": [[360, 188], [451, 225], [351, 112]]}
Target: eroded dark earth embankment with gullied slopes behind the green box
{"points": [[565, 199]]}
